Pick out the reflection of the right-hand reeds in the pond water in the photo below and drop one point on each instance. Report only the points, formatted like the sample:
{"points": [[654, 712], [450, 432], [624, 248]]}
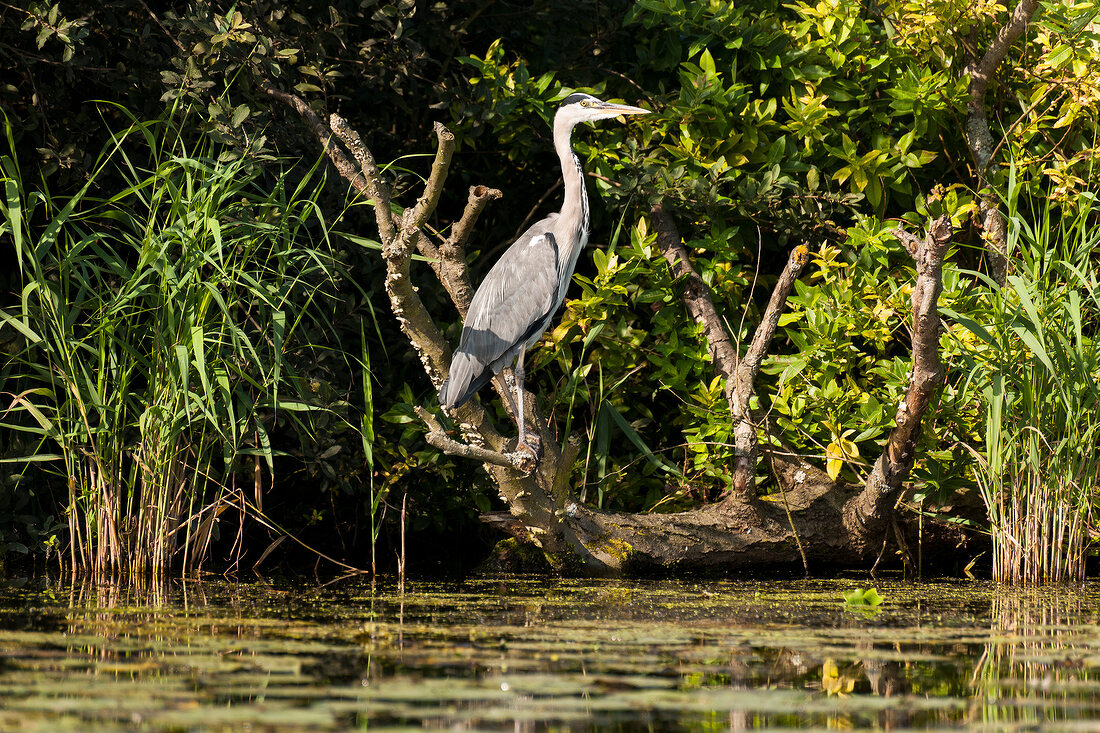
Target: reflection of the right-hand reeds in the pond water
{"points": [[1037, 655]]}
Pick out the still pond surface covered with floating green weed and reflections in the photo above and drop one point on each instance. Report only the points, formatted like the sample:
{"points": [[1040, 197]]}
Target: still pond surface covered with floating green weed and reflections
{"points": [[526, 654]]}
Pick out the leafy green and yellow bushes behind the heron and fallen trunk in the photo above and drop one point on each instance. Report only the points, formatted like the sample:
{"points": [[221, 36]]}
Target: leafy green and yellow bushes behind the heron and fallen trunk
{"points": [[776, 124]]}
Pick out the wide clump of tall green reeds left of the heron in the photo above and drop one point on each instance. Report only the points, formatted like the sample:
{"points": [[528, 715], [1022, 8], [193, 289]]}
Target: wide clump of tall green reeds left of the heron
{"points": [[158, 326]]}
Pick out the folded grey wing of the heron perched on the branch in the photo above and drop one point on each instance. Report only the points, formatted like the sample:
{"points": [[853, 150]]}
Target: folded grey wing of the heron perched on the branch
{"points": [[512, 307]]}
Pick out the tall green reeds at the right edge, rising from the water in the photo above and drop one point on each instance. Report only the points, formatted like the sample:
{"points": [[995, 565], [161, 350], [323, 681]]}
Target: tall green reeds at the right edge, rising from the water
{"points": [[1040, 469]]}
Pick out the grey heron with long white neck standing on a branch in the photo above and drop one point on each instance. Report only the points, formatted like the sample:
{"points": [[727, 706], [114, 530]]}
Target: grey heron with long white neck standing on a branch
{"points": [[515, 303]]}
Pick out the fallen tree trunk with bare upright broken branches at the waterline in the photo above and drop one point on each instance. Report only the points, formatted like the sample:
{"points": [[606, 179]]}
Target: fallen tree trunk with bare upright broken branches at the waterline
{"points": [[818, 521]]}
